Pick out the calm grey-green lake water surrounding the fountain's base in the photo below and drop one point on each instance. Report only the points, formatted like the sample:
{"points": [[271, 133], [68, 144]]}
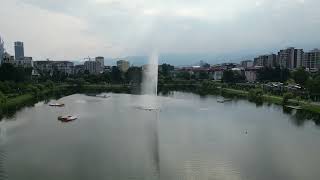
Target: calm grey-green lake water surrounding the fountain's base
{"points": [[190, 138]]}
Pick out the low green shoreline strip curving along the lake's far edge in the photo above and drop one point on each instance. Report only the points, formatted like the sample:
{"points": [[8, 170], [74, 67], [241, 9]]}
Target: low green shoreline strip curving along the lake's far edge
{"points": [[16, 103]]}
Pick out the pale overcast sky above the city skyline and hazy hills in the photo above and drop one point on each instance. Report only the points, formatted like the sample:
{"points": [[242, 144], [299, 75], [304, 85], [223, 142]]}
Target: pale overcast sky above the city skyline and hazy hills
{"points": [[74, 29]]}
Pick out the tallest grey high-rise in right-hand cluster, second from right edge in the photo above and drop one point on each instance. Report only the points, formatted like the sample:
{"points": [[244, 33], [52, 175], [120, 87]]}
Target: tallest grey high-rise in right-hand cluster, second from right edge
{"points": [[290, 58]]}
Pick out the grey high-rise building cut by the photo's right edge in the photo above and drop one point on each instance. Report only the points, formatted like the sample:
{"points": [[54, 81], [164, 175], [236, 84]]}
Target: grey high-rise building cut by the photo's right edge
{"points": [[312, 60]]}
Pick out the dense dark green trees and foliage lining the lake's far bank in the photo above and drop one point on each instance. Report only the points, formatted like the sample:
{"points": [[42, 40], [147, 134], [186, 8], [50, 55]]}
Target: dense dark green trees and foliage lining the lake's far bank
{"points": [[17, 88]]}
